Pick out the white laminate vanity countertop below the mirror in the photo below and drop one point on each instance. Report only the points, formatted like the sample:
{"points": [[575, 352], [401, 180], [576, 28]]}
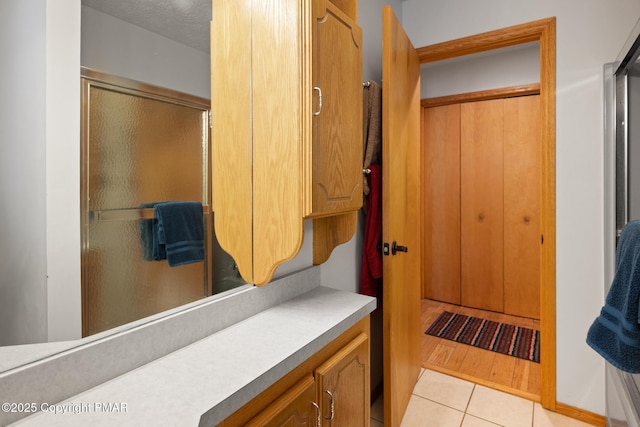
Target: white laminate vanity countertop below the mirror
{"points": [[205, 382]]}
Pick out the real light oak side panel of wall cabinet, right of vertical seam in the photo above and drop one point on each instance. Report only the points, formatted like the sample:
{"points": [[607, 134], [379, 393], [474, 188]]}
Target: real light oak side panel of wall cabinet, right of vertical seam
{"points": [[277, 85]]}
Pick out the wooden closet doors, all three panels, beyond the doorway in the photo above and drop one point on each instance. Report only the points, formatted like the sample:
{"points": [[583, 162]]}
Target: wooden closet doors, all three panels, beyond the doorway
{"points": [[482, 231]]}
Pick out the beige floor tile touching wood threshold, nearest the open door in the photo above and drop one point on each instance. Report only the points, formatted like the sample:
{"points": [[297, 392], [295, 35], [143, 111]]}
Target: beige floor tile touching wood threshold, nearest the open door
{"points": [[444, 389]]}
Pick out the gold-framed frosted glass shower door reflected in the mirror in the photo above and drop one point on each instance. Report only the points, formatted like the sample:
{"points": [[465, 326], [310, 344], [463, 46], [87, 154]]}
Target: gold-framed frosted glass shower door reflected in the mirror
{"points": [[139, 147]]}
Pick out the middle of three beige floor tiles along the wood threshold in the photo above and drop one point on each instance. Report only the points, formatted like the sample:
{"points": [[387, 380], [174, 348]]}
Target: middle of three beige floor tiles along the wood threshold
{"points": [[500, 408]]}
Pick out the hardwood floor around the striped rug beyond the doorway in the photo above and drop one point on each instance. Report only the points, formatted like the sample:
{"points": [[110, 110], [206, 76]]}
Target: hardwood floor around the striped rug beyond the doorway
{"points": [[488, 368]]}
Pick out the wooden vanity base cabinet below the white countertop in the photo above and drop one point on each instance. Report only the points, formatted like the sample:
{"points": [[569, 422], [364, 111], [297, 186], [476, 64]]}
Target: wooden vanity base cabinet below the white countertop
{"points": [[332, 388]]}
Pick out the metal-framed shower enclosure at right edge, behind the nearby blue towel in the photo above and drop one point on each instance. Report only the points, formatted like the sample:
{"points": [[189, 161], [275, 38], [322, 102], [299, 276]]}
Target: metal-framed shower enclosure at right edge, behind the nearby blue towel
{"points": [[622, 200]]}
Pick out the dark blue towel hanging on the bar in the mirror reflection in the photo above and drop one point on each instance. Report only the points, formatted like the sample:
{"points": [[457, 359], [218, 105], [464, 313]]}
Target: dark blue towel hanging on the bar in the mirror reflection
{"points": [[179, 230]]}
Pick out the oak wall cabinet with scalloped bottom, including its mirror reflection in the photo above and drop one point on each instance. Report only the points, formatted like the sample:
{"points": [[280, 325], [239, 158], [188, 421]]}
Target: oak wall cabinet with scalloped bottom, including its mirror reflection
{"points": [[286, 128]]}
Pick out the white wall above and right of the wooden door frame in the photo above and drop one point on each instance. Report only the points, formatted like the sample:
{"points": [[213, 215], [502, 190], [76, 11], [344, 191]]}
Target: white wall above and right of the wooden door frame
{"points": [[589, 34]]}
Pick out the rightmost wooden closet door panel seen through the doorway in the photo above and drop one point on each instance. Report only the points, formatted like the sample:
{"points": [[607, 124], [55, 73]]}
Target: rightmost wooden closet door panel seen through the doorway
{"points": [[522, 206]]}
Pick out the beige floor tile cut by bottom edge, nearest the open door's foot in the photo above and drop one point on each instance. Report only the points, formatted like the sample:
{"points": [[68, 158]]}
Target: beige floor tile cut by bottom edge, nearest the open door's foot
{"points": [[422, 412]]}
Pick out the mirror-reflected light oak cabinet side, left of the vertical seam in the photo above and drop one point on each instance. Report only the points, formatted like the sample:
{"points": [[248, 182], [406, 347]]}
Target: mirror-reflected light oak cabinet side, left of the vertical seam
{"points": [[231, 131]]}
